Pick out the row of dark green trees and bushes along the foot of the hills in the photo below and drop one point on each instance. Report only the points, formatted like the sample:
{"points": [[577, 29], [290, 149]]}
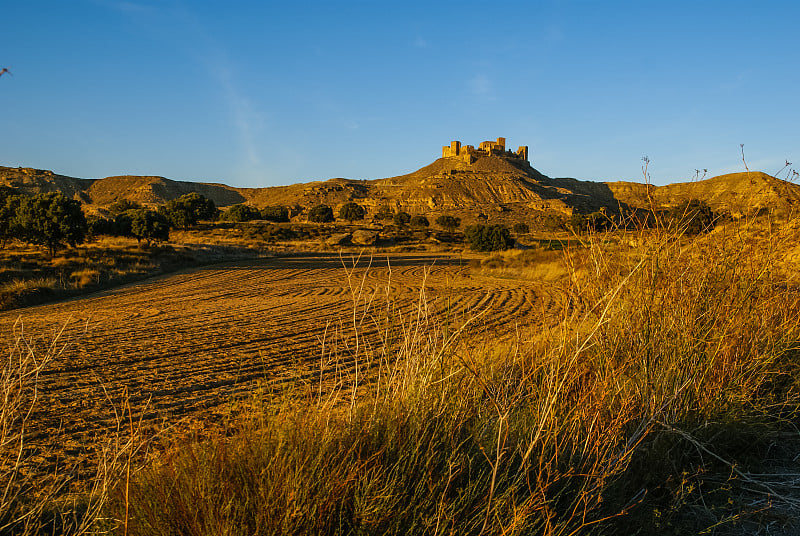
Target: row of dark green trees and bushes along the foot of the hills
{"points": [[52, 220]]}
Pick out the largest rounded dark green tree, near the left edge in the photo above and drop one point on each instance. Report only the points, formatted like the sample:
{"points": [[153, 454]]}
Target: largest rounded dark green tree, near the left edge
{"points": [[51, 220]]}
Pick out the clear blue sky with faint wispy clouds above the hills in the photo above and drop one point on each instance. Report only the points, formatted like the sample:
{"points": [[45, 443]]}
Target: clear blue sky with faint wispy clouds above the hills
{"points": [[270, 93]]}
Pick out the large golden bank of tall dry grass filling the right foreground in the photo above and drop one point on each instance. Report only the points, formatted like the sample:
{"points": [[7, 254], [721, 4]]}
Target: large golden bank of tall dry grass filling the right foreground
{"points": [[419, 424]]}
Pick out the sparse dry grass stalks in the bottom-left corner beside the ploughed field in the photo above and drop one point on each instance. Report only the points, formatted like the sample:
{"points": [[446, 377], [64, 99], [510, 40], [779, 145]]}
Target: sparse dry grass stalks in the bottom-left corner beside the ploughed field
{"points": [[35, 498]]}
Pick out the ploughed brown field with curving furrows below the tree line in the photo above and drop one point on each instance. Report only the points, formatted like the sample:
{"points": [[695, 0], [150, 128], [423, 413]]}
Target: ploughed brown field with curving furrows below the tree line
{"points": [[182, 345]]}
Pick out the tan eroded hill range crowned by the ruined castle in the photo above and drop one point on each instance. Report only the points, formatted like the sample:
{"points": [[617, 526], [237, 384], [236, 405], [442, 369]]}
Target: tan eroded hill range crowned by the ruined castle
{"points": [[489, 181]]}
